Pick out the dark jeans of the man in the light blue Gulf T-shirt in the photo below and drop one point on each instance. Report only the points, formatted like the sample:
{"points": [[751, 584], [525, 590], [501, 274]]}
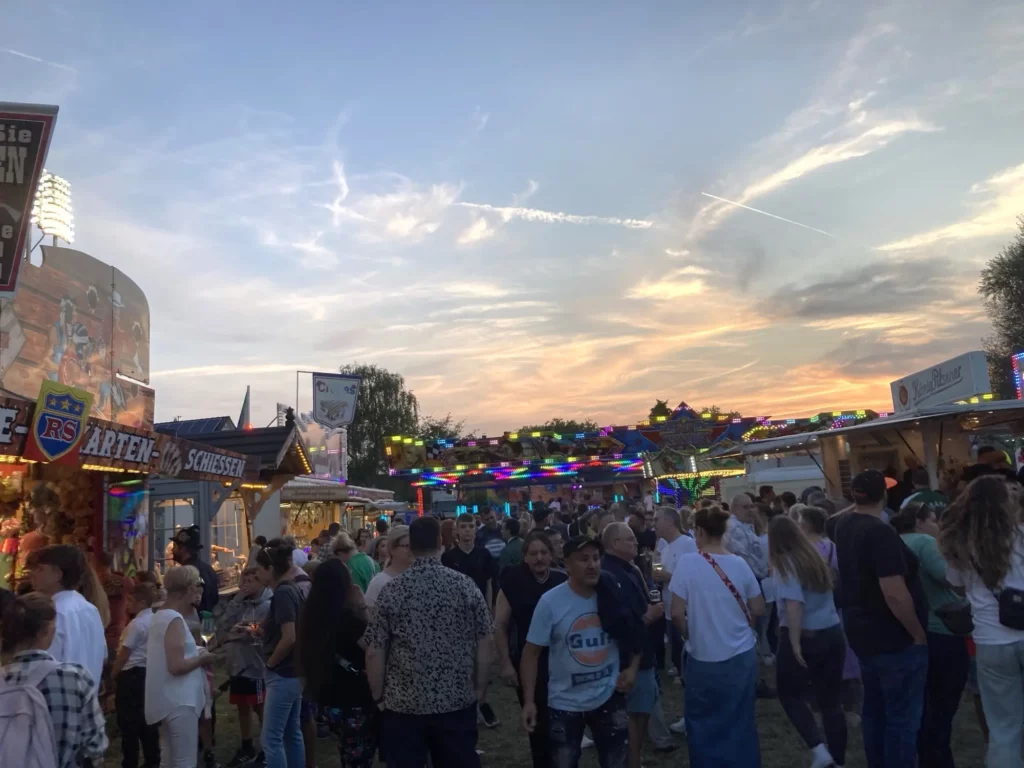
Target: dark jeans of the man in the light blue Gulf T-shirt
{"points": [[609, 724]]}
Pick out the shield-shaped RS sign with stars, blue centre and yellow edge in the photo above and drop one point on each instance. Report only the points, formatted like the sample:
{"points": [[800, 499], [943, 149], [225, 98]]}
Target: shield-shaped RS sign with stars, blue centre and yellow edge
{"points": [[59, 424]]}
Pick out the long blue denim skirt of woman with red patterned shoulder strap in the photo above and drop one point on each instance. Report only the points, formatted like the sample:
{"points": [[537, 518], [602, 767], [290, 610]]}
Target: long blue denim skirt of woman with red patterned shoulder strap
{"points": [[721, 732]]}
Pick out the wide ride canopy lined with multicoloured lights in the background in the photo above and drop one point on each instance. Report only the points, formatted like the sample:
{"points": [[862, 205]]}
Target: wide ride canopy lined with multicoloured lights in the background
{"points": [[665, 448]]}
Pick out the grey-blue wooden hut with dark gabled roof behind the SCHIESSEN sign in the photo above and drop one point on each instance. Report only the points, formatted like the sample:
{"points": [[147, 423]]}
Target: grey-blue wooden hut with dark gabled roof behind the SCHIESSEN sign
{"points": [[227, 509]]}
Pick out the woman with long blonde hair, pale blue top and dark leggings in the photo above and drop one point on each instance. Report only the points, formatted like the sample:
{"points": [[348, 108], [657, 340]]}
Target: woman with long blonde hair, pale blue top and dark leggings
{"points": [[812, 645]]}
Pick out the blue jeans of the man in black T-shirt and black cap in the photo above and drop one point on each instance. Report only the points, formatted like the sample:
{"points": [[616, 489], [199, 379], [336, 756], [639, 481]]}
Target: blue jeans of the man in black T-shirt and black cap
{"points": [[894, 701]]}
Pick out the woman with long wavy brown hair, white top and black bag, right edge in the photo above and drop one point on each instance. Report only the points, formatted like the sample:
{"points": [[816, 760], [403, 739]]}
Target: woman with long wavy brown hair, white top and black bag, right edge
{"points": [[984, 542]]}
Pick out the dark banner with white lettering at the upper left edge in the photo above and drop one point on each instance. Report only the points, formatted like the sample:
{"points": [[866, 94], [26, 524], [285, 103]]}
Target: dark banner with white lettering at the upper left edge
{"points": [[25, 140]]}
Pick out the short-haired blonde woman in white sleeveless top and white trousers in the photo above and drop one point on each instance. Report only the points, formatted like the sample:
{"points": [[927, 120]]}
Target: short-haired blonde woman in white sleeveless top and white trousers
{"points": [[176, 682]]}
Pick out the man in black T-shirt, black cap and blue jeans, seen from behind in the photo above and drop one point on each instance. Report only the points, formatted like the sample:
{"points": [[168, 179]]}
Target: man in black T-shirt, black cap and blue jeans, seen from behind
{"points": [[884, 614]]}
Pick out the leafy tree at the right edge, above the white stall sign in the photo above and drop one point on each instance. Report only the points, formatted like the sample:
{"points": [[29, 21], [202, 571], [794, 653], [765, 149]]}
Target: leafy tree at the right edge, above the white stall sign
{"points": [[1003, 290]]}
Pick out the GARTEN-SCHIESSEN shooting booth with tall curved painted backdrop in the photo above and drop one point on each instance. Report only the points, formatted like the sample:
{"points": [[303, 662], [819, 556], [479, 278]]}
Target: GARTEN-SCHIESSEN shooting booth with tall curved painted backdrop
{"points": [[78, 330]]}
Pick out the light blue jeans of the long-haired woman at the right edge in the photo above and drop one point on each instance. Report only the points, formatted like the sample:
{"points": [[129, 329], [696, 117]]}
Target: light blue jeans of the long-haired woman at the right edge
{"points": [[1001, 679]]}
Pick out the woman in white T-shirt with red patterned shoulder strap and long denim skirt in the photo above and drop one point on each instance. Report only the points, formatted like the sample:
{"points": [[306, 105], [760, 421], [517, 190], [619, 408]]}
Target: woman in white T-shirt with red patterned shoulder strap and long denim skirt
{"points": [[715, 601]]}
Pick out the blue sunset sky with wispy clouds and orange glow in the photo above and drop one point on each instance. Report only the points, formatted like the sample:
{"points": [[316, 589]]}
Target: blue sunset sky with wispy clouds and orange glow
{"points": [[538, 210]]}
